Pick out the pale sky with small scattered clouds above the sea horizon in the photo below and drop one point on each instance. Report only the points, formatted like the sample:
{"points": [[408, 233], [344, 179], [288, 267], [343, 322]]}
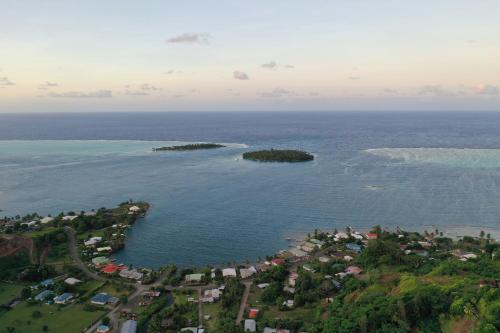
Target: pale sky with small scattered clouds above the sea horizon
{"points": [[93, 56]]}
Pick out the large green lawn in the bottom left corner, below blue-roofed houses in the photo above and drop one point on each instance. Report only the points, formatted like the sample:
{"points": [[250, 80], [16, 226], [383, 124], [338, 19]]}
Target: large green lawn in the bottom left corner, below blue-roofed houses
{"points": [[69, 319]]}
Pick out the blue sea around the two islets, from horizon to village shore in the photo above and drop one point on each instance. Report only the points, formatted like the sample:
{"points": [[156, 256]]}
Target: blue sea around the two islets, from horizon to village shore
{"points": [[394, 169]]}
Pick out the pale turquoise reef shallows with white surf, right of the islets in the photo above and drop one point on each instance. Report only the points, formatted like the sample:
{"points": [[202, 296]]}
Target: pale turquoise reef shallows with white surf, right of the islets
{"points": [[455, 157]]}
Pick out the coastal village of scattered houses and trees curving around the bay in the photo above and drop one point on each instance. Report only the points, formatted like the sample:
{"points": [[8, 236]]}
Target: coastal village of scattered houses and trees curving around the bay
{"points": [[285, 293]]}
